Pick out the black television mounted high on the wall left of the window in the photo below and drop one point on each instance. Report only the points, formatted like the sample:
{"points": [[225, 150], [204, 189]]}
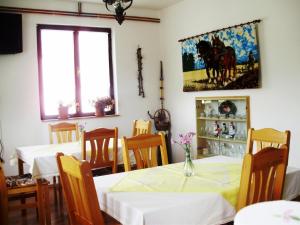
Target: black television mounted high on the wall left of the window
{"points": [[10, 33]]}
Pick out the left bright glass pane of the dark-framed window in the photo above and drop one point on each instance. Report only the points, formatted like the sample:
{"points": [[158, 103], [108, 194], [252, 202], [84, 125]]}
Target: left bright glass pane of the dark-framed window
{"points": [[58, 70]]}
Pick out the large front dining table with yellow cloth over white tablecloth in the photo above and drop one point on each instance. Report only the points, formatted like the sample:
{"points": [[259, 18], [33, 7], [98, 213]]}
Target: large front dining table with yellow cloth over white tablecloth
{"points": [[164, 196]]}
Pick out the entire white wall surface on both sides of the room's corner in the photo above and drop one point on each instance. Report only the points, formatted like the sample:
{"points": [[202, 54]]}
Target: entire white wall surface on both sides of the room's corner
{"points": [[274, 105]]}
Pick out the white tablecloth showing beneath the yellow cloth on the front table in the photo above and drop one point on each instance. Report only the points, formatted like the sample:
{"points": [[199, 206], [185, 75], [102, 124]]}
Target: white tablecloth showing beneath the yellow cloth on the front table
{"points": [[157, 208]]}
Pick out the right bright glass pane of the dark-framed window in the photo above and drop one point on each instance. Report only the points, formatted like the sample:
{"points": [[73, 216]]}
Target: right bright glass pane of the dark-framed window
{"points": [[94, 67]]}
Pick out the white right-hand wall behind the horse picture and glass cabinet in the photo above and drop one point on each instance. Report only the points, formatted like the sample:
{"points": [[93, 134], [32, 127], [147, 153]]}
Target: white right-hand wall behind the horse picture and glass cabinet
{"points": [[276, 103]]}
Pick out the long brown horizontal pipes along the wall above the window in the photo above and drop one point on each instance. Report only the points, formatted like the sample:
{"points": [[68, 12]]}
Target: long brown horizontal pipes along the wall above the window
{"points": [[79, 13]]}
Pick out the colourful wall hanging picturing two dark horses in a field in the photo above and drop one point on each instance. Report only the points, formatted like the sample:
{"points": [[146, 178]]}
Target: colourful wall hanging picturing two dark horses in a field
{"points": [[222, 60]]}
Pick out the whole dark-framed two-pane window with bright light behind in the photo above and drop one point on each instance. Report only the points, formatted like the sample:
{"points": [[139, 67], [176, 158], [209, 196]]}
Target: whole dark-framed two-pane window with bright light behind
{"points": [[75, 68]]}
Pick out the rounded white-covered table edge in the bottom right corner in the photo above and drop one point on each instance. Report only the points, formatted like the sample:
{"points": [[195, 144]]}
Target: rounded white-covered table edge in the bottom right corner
{"points": [[269, 213]]}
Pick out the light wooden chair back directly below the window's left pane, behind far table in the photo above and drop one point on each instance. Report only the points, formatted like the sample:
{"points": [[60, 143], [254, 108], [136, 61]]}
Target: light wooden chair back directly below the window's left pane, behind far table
{"points": [[64, 132]]}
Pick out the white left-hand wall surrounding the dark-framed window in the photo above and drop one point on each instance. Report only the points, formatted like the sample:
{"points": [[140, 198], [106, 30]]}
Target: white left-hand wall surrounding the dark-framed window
{"points": [[19, 99]]}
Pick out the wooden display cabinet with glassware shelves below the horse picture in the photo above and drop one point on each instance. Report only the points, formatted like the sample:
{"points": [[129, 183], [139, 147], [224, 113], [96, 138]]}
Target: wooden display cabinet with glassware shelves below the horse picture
{"points": [[222, 125]]}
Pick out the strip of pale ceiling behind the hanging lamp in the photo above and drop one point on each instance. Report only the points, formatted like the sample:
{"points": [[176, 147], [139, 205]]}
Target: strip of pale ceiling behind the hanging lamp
{"points": [[146, 4]]}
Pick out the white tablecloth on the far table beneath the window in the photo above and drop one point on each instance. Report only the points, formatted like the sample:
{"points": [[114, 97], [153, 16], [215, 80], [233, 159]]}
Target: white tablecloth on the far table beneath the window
{"points": [[42, 158]]}
